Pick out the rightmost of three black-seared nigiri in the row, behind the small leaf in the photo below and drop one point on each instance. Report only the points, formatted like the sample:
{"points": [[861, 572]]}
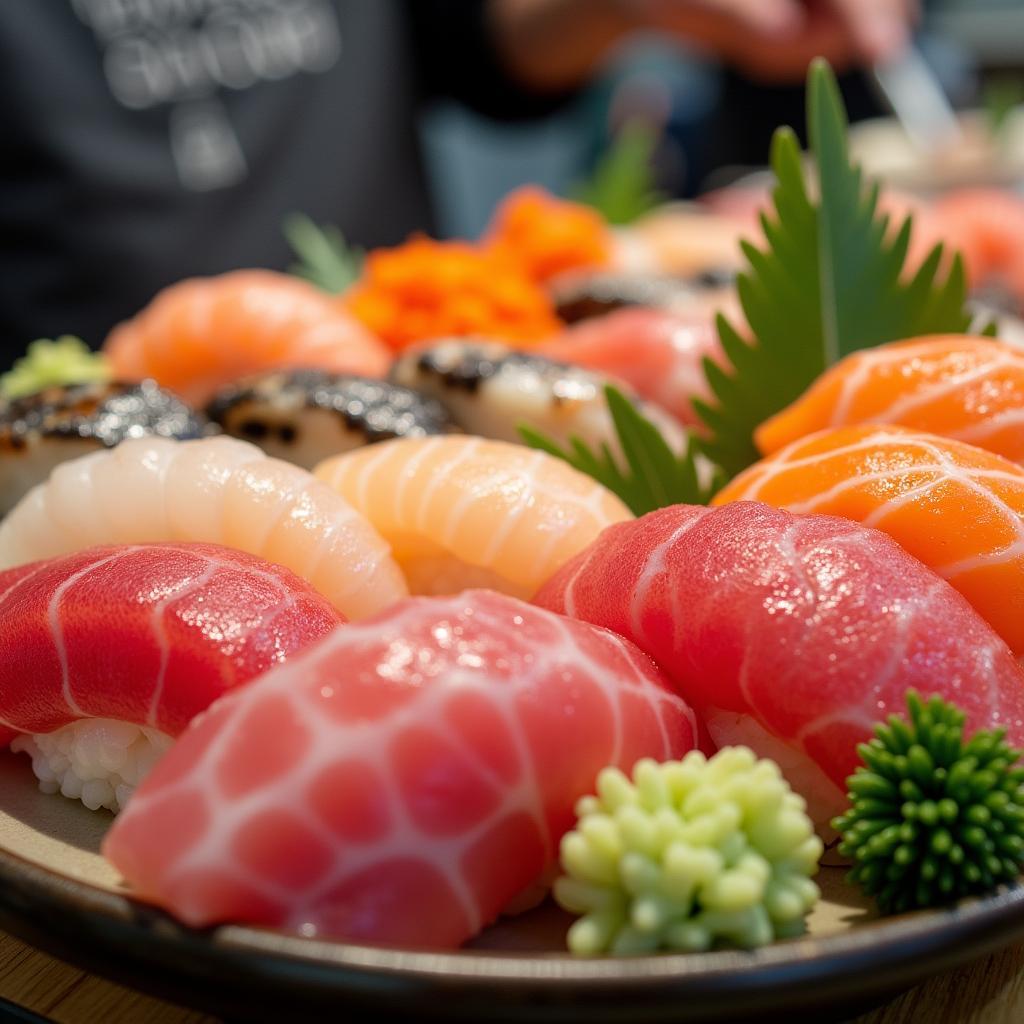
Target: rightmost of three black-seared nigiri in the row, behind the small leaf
{"points": [[491, 391]]}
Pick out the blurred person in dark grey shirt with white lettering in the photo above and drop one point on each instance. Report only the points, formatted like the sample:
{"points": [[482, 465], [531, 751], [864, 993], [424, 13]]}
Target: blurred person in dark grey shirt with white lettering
{"points": [[149, 141]]}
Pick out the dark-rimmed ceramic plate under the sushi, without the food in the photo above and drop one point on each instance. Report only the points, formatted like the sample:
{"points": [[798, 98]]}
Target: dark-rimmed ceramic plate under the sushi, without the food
{"points": [[58, 893]]}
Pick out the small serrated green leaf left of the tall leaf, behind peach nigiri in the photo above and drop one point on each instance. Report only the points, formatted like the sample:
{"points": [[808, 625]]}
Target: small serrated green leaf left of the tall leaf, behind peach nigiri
{"points": [[654, 476]]}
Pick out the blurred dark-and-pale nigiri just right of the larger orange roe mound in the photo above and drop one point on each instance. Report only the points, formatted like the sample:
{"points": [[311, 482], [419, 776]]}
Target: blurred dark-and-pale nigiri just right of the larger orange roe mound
{"points": [[580, 297]]}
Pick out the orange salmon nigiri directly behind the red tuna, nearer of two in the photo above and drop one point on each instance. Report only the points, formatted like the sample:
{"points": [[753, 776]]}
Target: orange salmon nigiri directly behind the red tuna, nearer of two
{"points": [[958, 508]]}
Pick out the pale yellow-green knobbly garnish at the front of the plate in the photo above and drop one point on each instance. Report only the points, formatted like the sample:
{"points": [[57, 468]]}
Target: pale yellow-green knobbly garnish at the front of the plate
{"points": [[691, 855]]}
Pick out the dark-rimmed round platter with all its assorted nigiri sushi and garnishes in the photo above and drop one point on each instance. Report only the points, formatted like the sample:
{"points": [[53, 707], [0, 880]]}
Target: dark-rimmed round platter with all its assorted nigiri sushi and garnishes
{"points": [[583, 623]]}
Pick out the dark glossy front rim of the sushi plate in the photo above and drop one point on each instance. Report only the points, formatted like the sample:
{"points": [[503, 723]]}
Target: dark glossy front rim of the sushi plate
{"points": [[900, 953]]}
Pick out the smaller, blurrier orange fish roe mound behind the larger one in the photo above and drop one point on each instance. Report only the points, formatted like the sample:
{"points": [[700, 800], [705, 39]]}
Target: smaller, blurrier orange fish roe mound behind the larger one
{"points": [[548, 236]]}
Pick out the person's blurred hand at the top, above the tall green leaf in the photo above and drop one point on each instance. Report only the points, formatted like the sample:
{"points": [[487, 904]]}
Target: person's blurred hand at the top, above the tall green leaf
{"points": [[777, 39]]}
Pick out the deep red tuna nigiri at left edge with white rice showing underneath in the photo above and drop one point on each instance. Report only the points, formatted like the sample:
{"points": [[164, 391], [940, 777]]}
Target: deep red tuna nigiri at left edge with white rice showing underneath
{"points": [[111, 653]]}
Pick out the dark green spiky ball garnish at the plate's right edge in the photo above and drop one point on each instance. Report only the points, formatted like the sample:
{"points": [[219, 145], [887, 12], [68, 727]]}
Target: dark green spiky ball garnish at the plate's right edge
{"points": [[933, 818]]}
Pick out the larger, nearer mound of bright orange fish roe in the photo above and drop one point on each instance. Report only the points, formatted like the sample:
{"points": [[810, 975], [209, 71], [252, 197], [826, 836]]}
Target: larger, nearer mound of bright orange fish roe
{"points": [[426, 289]]}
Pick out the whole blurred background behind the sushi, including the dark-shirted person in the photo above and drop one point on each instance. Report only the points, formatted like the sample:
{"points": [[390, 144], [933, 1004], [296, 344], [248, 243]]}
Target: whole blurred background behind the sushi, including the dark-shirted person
{"points": [[153, 141]]}
